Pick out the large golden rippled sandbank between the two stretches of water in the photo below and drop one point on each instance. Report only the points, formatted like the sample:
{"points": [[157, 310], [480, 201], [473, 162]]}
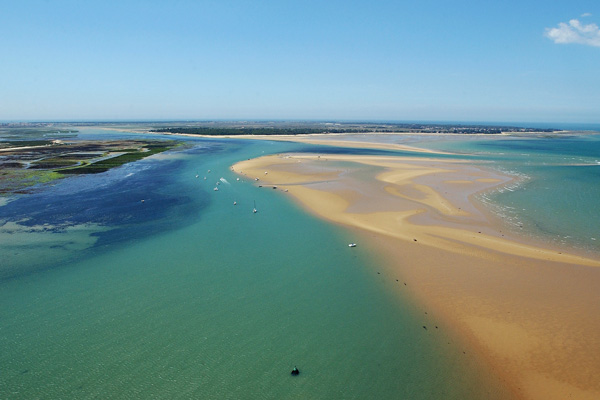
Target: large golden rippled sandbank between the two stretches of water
{"points": [[531, 313]]}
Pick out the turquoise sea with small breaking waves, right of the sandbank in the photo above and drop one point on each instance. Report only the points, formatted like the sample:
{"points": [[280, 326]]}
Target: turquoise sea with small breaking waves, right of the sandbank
{"points": [[555, 199]]}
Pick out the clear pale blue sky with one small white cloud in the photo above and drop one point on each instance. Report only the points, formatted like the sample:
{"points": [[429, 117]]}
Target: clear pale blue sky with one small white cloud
{"points": [[511, 60]]}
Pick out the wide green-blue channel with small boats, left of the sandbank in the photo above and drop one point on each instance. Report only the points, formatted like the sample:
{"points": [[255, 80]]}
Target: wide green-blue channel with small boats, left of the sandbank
{"points": [[185, 295]]}
